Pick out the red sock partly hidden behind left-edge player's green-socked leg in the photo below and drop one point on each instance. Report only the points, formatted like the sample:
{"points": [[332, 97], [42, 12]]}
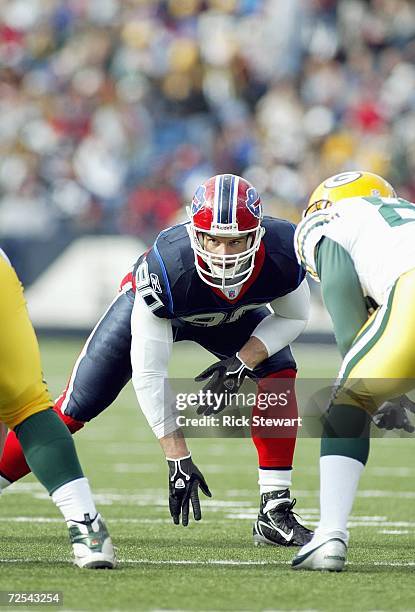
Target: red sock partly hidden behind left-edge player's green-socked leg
{"points": [[13, 464]]}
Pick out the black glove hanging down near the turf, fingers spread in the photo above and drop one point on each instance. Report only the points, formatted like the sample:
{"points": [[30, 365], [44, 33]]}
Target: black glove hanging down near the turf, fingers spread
{"points": [[184, 482]]}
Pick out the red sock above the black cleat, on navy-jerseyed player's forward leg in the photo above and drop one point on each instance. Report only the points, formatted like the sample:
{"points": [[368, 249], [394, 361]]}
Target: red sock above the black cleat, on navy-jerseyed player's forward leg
{"points": [[276, 452]]}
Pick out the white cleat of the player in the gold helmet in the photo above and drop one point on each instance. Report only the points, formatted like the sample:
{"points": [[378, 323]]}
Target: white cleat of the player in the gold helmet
{"points": [[329, 556]]}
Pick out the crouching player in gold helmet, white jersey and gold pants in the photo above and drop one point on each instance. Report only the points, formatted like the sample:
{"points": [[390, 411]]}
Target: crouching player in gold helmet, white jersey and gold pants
{"points": [[358, 239]]}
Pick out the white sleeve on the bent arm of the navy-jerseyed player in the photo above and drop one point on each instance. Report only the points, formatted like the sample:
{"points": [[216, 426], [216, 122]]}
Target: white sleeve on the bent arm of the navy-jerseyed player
{"points": [[288, 320]]}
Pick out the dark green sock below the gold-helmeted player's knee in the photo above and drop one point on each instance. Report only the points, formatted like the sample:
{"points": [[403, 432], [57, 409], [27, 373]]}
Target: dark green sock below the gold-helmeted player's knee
{"points": [[346, 432]]}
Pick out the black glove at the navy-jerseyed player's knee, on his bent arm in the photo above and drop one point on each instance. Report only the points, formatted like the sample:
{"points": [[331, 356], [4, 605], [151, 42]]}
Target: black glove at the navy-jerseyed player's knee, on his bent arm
{"points": [[226, 376]]}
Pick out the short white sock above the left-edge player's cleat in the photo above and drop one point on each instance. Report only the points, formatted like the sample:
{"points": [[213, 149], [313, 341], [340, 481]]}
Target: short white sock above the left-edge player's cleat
{"points": [[74, 500]]}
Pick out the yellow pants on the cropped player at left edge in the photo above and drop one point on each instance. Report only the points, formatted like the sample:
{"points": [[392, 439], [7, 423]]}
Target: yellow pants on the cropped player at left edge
{"points": [[22, 389]]}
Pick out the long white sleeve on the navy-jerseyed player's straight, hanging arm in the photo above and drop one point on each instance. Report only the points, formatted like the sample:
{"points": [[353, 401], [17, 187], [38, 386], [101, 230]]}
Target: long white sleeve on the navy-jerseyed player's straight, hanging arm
{"points": [[151, 347]]}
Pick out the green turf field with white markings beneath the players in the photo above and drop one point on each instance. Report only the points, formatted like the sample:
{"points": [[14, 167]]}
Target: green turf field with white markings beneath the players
{"points": [[211, 565]]}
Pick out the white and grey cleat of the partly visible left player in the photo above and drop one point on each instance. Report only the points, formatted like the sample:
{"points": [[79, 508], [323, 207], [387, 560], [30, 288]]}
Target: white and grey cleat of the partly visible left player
{"points": [[91, 543]]}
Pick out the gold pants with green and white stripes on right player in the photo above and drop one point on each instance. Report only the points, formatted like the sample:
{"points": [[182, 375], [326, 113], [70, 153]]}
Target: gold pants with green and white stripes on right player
{"points": [[380, 364]]}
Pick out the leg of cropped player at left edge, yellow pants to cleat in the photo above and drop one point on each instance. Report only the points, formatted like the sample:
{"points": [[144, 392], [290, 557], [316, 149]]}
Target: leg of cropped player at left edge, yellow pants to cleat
{"points": [[25, 407]]}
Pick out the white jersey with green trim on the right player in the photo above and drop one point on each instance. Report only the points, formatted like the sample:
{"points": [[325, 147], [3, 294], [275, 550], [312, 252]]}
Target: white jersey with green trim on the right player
{"points": [[378, 234]]}
